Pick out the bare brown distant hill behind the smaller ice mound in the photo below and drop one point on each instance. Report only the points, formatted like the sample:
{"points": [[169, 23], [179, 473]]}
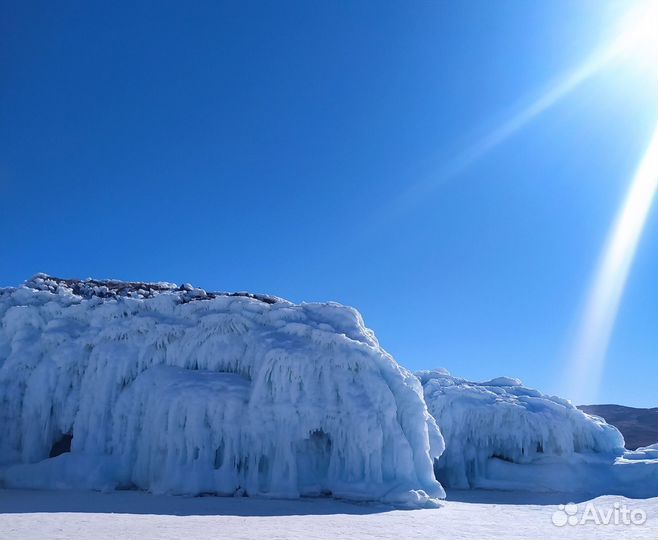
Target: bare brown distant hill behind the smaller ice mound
{"points": [[638, 426]]}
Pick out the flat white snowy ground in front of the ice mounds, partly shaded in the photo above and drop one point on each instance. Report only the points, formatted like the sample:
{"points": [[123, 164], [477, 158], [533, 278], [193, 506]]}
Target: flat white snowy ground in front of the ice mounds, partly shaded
{"points": [[474, 514]]}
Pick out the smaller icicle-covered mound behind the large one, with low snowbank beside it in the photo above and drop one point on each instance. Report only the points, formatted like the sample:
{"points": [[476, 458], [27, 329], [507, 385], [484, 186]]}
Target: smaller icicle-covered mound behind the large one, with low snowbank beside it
{"points": [[502, 435]]}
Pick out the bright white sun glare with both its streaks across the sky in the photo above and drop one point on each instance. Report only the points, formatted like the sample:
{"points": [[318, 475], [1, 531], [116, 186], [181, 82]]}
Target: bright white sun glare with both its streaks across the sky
{"points": [[634, 42]]}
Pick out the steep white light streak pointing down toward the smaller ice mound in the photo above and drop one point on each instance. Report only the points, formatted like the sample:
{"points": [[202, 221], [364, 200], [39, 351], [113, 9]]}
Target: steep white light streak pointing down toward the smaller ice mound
{"points": [[586, 366]]}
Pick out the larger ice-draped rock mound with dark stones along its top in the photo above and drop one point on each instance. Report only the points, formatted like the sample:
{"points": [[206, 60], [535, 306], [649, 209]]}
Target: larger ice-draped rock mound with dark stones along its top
{"points": [[109, 384]]}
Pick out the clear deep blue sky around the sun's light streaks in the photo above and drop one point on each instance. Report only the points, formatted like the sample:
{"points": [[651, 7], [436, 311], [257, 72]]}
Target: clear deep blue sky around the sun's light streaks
{"points": [[272, 147]]}
